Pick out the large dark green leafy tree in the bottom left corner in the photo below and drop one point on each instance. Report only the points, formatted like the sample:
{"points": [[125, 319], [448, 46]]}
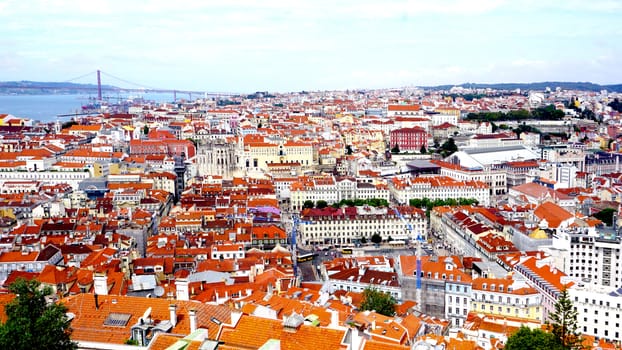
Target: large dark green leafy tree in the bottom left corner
{"points": [[32, 323]]}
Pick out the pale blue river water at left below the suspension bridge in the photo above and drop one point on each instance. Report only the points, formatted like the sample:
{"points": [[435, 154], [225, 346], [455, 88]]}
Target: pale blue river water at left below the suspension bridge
{"points": [[45, 108]]}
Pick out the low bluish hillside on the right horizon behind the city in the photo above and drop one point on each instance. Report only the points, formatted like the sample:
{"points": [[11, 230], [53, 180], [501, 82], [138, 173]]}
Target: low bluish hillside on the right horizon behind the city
{"points": [[583, 86]]}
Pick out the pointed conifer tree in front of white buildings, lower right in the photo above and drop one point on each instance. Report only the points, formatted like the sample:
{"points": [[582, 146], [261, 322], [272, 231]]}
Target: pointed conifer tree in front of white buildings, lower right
{"points": [[563, 322]]}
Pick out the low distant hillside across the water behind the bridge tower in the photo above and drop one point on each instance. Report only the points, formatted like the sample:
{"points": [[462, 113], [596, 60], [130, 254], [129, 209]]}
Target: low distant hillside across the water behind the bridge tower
{"points": [[26, 87]]}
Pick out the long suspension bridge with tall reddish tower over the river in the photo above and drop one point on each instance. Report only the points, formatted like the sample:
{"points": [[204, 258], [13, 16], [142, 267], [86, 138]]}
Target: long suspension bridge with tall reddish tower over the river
{"points": [[133, 87]]}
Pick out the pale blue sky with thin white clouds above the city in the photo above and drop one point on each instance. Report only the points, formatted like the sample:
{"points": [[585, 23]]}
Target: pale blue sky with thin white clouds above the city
{"points": [[289, 45]]}
